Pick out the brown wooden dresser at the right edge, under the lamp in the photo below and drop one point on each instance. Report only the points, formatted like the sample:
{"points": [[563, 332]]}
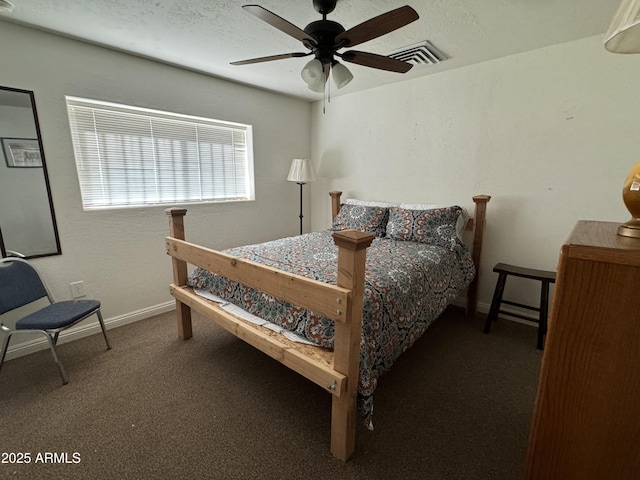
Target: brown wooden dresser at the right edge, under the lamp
{"points": [[586, 423]]}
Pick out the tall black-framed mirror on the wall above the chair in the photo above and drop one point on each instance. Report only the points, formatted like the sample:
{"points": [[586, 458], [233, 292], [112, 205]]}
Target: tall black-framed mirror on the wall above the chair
{"points": [[27, 219]]}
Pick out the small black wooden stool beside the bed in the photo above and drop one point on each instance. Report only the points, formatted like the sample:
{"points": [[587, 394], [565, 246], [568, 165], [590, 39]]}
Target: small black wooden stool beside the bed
{"points": [[542, 276]]}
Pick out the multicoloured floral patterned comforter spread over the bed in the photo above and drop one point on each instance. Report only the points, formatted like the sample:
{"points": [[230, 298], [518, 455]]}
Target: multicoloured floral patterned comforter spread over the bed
{"points": [[407, 286]]}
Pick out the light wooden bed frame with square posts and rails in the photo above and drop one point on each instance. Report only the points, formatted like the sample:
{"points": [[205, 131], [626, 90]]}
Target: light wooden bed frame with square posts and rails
{"points": [[336, 371]]}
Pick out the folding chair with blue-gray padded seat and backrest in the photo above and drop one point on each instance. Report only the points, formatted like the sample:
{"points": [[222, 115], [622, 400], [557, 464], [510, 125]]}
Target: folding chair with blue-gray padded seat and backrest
{"points": [[20, 285]]}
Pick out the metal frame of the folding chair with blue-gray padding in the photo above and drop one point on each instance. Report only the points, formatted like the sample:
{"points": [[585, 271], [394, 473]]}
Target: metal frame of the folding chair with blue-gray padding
{"points": [[52, 333]]}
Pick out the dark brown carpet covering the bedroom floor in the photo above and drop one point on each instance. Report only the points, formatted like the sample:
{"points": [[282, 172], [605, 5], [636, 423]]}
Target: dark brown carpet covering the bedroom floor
{"points": [[457, 405]]}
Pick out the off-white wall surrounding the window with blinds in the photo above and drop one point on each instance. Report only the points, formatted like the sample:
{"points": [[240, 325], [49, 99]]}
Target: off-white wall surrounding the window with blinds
{"points": [[119, 254]]}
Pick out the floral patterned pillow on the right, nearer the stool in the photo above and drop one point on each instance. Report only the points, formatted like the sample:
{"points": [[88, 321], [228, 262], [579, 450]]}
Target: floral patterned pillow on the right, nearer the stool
{"points": [[435, 226]]}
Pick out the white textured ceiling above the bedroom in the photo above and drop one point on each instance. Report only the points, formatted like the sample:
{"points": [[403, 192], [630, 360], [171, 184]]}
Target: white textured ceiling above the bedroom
{"points": [[205, 35]]}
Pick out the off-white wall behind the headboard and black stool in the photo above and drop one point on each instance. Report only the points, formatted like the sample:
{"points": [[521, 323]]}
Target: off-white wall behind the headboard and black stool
{"points": [[549, 134]]}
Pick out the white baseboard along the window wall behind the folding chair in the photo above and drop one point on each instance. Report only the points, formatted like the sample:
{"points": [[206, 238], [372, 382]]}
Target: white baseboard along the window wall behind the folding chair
{"points": [[82, 330]]}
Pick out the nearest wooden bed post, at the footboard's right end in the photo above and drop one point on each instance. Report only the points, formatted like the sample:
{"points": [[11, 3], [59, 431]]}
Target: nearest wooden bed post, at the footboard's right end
{"points": [[352, 248]]}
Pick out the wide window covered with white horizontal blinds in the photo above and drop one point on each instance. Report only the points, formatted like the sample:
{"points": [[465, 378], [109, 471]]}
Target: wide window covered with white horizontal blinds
{"points": [[129, 156]]}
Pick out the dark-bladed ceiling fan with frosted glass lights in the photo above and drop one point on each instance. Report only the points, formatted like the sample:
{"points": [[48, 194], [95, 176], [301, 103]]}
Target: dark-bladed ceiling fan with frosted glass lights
{"points": [[323, 38]]}
